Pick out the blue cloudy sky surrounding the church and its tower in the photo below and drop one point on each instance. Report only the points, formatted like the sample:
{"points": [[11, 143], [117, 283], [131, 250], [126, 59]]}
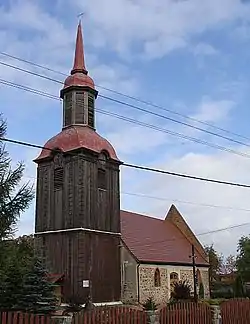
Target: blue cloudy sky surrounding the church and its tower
{"points": [[190, 58]]}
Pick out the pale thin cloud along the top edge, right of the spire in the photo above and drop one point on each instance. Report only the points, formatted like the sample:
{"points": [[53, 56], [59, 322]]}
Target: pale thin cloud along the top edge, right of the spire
{"points": [[161, 26]]}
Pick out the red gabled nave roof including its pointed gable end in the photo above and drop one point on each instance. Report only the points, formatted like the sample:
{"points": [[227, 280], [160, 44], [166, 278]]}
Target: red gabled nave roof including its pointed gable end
{"points": [[155, 240]]}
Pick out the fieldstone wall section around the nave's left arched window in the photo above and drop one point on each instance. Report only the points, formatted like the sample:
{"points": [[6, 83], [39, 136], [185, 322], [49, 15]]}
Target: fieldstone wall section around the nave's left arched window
{"points": [[147, 287]]}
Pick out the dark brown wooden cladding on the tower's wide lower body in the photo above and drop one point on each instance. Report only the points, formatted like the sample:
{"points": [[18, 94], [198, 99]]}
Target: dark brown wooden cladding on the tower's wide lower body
{"points": [[80, 204]]}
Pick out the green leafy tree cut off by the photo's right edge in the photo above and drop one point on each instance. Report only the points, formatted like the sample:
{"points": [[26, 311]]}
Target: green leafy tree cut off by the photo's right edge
{"points": [[243, 258]]}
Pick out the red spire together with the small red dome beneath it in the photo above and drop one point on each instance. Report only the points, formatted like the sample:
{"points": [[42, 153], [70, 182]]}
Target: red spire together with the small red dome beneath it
{"points": [[79, 74]]}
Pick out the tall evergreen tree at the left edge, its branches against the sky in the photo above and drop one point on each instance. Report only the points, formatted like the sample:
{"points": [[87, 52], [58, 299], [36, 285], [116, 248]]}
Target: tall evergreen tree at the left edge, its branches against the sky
{"points": [[15, 198]]}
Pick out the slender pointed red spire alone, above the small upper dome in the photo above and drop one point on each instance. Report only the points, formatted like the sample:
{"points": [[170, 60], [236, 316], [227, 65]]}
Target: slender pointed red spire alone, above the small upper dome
{"points": [[79, 63]]}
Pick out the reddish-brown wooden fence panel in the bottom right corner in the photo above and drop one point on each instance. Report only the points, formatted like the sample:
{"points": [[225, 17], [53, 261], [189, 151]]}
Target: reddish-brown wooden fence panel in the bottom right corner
{"points": [[235, 311]]}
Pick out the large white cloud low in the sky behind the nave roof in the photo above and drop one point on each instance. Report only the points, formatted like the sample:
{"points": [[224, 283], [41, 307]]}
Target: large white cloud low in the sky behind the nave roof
{"points": [[220, 166]]}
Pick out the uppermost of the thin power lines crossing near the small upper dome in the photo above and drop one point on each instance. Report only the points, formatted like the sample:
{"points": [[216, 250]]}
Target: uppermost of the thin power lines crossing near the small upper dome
{"points": [[131, 97]]}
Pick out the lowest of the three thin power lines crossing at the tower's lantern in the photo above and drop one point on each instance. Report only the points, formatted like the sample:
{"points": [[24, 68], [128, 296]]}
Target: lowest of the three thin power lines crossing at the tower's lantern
{"points": [[130, 120]]}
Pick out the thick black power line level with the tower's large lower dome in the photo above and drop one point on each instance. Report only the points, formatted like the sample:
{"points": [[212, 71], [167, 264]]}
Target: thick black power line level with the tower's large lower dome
{"points": [[139, 167]]}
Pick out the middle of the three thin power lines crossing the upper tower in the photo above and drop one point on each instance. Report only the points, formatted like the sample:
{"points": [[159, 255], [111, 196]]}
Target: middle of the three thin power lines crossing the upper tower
{"points": [[131, 106]]}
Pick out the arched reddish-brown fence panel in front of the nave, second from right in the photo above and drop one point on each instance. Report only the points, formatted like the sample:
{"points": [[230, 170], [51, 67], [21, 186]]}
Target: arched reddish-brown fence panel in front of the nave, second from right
{"points": [[186, 313]]}
